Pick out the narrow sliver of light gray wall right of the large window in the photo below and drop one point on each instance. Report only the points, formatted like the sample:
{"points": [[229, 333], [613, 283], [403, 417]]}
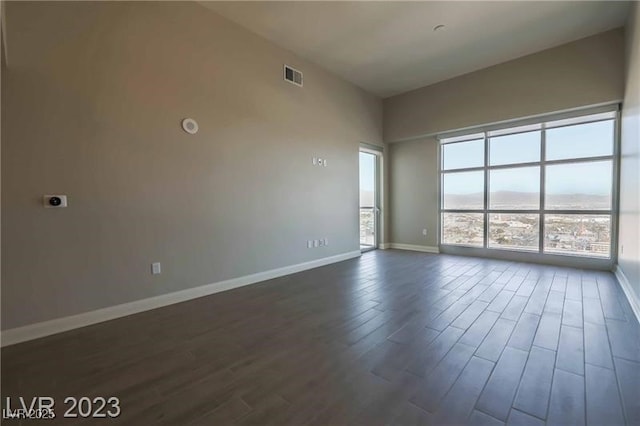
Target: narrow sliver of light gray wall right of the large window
{"points": [[629, 257]]}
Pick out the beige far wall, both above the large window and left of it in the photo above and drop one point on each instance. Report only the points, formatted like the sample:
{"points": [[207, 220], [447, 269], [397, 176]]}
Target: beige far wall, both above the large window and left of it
{"points": [[581, 73]]}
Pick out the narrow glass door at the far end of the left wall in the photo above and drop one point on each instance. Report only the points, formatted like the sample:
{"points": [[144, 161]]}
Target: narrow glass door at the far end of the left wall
{"points": [[369, 197]]}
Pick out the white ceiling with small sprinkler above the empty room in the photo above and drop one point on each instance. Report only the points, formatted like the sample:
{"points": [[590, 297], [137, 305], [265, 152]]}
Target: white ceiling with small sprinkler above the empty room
{"points": [[389, 47]]}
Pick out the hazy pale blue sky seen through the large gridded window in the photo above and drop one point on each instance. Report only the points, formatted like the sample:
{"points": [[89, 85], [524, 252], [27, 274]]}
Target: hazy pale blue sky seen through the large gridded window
{"points": [[586, 140]]}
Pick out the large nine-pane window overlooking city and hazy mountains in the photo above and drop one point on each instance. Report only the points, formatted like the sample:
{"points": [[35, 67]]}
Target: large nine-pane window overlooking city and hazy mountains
{"points": [[545, 187]]}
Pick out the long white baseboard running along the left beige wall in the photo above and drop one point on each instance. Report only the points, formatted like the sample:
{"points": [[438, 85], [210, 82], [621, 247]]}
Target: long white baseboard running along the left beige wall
{"points": [[47, 328]]}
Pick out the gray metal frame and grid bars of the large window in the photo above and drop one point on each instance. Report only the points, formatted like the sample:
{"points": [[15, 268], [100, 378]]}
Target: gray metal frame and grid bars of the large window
{"points": [[528, 125]]}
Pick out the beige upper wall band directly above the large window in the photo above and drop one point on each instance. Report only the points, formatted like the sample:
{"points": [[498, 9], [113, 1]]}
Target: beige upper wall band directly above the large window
{"points": [[584, 72]]}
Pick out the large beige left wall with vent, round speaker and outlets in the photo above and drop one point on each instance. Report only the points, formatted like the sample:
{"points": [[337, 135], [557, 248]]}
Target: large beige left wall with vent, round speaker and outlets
{"points": [[91, 106]]}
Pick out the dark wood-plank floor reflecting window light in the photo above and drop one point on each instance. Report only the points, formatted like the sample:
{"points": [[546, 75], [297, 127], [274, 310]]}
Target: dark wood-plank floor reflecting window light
{"points": [[394, 337]]}
